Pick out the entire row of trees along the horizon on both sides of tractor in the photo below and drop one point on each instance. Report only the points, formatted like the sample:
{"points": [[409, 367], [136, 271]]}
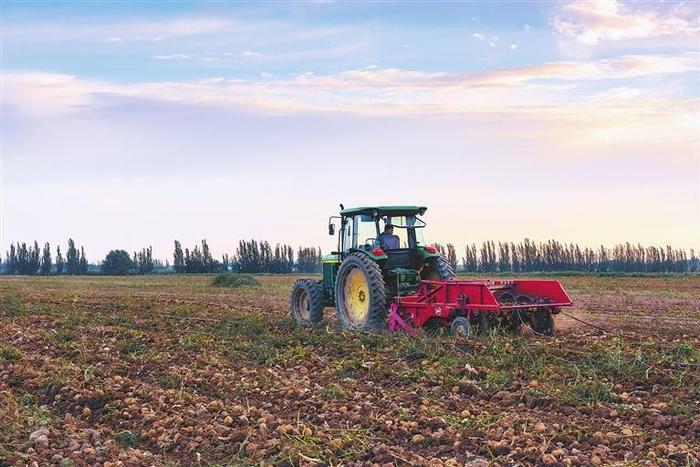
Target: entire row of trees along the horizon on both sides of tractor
{"points": [[252, 256]]}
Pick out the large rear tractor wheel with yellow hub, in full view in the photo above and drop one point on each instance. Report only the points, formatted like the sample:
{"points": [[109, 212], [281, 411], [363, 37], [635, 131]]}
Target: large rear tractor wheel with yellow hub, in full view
{"points": [[360, 295]]}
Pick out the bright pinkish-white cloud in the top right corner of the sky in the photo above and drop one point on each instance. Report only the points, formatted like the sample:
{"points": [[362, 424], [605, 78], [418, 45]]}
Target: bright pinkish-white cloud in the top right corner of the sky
{"points": [[592, 22]]}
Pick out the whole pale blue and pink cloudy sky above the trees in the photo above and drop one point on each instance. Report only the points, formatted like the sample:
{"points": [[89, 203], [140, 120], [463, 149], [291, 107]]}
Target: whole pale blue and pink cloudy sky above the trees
{"points": [[128, 124]]}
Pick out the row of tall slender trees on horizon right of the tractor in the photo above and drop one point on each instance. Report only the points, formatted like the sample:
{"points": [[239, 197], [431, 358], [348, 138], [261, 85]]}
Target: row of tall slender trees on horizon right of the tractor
{"points": [[554, 256]]}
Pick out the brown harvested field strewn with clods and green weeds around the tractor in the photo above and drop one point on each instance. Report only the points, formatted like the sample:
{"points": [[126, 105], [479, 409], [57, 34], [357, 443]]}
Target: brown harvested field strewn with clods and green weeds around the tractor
{"points": [[168, 370]]}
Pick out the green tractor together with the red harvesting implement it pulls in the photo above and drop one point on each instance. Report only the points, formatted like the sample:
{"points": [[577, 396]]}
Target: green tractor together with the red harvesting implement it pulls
{"points": [[383, 274]]}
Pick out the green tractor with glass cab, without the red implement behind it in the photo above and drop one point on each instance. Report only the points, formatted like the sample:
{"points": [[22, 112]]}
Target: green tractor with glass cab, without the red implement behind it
{"points": [[381, 254]]}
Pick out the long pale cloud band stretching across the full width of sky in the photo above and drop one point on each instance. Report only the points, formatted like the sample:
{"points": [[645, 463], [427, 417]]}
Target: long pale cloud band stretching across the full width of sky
{"points": [[551, 92]]}
